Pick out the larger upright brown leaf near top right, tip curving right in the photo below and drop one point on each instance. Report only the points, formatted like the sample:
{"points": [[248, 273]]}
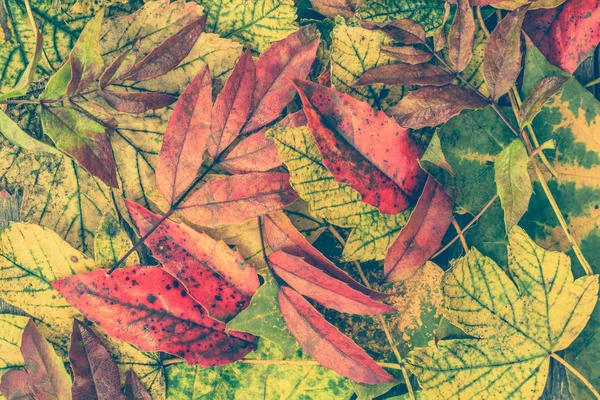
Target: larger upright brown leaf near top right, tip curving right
{"points": [[502, 55]]}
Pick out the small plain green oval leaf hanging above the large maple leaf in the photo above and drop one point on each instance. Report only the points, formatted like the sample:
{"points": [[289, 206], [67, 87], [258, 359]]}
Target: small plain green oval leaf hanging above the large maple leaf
{"points": [[512, 181]]}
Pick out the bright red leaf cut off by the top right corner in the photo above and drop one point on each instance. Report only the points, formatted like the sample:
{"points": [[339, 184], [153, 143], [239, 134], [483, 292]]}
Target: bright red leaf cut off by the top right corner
{"points": [[566, 37]]}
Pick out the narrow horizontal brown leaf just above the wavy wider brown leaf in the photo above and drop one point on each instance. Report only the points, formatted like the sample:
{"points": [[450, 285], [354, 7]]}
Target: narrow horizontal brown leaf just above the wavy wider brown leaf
{"points": [[406, 74]]}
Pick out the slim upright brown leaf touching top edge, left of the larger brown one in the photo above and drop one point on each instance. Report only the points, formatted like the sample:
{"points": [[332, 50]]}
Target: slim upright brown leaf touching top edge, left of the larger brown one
{"points": [[461, 36]]}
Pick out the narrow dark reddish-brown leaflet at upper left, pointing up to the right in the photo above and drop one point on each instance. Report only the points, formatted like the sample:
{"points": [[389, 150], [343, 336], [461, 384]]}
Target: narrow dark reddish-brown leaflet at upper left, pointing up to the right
{"points": [[169, 54]]}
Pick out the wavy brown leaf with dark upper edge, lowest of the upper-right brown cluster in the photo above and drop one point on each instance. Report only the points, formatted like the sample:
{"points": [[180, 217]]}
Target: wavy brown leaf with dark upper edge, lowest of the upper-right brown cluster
{"points": [[432, 106]]}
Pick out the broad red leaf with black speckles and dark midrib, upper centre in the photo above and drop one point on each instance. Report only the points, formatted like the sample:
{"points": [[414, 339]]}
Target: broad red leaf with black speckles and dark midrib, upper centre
{"points": [[363, 148]]}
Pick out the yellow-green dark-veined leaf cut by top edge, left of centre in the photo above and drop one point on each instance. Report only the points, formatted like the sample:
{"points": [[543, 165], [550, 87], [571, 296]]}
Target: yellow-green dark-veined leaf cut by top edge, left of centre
{"points": [[255, 23]]}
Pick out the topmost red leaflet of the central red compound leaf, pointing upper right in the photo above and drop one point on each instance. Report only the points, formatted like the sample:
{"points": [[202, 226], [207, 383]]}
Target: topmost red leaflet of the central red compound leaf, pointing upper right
{"points": [[290, 58]]}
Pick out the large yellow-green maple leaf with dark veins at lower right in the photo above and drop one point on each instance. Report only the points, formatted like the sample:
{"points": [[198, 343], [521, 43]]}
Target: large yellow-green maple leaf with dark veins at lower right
{"points": [[516, 322]]}
